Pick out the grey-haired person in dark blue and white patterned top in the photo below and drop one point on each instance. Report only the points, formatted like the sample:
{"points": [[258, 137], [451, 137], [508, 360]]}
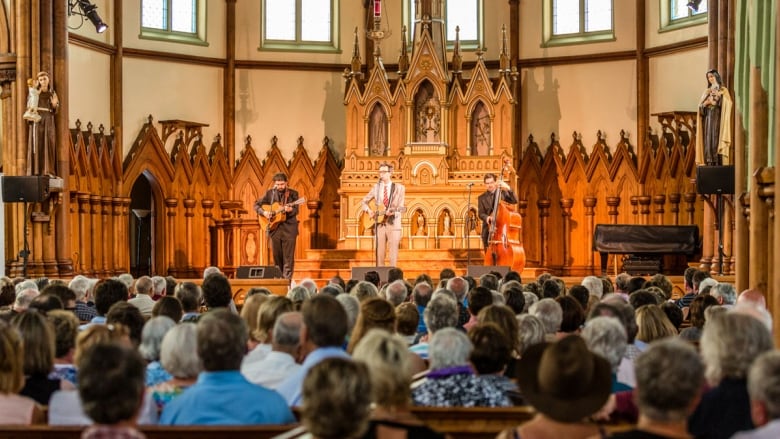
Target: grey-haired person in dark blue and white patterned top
{"points": [[451, 381]]}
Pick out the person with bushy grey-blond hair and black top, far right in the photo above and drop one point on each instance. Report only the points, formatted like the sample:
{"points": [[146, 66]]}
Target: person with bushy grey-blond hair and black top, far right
{"points": [[729, 344]]}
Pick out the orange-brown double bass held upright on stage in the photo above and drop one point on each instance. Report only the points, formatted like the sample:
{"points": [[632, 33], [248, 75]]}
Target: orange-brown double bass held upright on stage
{"points": [[505, 238]]}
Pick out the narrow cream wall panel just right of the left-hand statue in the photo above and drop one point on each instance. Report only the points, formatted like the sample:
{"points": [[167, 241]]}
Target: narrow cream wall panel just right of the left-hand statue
{"points": [[89, 91]]}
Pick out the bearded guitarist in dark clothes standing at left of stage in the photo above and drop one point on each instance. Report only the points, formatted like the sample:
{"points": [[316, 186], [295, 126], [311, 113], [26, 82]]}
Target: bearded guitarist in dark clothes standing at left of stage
{"points": [[283, 231]]}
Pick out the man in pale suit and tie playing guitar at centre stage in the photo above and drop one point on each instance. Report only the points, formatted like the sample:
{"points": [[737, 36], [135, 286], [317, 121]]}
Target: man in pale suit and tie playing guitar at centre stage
{"points": [[389, 201]]}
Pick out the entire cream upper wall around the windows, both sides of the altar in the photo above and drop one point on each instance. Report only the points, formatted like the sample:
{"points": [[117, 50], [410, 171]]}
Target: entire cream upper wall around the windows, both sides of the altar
{"points": [[286, 103]]}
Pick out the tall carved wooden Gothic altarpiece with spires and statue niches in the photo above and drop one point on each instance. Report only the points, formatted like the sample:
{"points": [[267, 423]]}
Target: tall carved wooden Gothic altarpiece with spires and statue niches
{"points": [[441, 131]]}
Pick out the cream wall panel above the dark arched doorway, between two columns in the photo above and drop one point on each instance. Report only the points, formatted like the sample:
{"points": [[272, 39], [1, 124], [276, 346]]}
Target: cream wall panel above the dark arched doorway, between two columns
{"points": [[170, 91]]}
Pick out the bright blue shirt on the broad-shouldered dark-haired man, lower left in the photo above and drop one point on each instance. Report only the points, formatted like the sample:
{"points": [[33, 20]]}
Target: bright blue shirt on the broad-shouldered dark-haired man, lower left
{"points": [[226, 398]]}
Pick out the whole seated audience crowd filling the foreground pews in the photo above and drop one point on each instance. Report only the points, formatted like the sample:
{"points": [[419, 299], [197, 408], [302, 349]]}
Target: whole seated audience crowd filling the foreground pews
{"points": [[353, 358]]}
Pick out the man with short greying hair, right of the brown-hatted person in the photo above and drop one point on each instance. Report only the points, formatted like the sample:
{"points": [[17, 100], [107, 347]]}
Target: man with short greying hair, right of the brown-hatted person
{"points": [[669, 378]]}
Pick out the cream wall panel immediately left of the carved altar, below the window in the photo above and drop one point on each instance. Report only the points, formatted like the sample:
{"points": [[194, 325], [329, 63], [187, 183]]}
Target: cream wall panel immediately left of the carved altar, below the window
{"points": [[290, 104]]}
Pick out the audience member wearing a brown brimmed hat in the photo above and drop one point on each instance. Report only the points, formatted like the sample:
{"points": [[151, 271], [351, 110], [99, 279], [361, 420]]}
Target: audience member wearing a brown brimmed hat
{"points": [[565, 383]]}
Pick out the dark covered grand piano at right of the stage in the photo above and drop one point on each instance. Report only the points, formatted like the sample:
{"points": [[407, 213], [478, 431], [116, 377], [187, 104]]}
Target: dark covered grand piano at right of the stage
{"points": [[647, 245]]}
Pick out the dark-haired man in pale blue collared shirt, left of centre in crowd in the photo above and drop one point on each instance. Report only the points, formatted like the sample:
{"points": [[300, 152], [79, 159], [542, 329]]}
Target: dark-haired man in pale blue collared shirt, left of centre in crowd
{"points": [[322, 336]]}
